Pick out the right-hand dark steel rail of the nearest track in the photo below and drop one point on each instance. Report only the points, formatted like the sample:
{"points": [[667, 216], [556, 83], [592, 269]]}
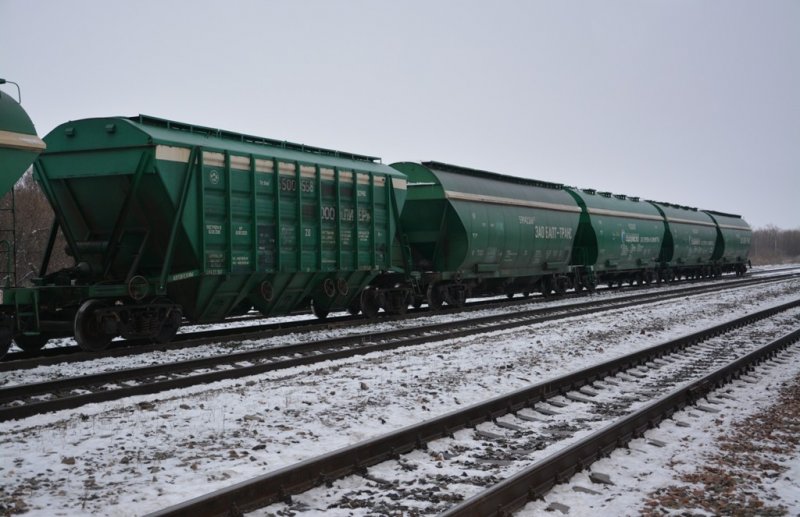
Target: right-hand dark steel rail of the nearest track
{"points": [[533, 482]]}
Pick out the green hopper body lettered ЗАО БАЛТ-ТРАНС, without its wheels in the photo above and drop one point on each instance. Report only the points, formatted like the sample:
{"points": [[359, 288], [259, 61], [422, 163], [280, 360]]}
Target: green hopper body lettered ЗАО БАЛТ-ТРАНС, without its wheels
{"points": [[474, 224]]}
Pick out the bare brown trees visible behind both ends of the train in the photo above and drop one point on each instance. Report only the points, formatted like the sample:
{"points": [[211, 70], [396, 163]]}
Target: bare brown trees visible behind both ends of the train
{"points": [[34, 218]]}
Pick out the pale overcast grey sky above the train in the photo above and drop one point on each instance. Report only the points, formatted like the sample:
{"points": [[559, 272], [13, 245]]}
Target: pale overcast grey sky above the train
{"points": [[694, 102]]}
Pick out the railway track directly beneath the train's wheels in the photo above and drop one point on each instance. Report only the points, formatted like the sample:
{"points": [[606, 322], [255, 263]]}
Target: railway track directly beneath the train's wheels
{"points": [[73, 354]]}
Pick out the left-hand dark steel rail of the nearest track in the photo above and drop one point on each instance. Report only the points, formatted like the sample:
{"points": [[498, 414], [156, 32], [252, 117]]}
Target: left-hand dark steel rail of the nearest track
{"points": [[281, 484]]}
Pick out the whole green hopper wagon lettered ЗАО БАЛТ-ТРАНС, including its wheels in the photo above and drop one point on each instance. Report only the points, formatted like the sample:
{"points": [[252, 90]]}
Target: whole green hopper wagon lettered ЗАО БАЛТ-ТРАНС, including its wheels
{"points": [[468, 232]]}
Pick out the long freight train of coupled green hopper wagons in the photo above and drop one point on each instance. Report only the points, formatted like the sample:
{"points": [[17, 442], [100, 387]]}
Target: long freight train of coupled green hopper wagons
{"points": [[169, 222]]}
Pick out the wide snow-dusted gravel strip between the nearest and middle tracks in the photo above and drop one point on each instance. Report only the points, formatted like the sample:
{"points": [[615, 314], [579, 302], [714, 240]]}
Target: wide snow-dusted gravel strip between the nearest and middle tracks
{"points": [[137, 455]]}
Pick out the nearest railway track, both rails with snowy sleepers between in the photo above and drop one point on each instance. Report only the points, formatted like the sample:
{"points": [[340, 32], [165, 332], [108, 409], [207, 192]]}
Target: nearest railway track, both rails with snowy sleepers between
{"points": [[509, 430]]}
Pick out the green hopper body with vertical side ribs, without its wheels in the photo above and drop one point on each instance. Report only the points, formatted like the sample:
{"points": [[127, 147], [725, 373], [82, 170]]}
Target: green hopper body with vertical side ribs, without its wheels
{"points": [[211, 220]]}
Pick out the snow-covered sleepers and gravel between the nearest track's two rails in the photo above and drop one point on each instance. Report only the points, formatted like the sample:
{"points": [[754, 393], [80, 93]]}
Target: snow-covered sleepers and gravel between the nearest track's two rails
{"points": [[417, 479]]}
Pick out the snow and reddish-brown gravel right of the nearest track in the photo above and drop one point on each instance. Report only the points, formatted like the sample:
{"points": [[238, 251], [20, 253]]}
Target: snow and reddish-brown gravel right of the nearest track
{"points": [[692, 470]]}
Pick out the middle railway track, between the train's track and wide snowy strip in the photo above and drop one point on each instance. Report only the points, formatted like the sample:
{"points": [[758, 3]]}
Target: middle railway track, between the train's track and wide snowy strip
{"points": [[163, 377]]}
